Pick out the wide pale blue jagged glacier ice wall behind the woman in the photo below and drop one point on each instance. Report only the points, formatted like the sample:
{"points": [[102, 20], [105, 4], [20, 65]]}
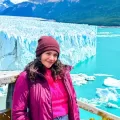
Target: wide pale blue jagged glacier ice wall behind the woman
{"points": [[19, 35]]}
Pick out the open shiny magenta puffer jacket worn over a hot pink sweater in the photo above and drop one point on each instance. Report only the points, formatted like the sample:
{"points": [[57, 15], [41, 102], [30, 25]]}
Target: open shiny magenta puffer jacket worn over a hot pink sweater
{"points": [[36, 96]]}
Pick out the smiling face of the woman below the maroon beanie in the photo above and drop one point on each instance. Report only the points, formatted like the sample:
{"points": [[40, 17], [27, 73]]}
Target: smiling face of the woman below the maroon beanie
{"points": [[48, 58]]}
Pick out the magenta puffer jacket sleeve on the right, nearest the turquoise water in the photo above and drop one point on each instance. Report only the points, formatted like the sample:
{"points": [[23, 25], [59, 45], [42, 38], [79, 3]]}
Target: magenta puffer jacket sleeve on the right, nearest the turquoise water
{"points": [[76, 108]]}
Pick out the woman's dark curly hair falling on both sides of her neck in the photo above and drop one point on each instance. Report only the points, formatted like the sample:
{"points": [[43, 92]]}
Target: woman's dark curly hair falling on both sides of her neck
{"points": [[35, 68]]}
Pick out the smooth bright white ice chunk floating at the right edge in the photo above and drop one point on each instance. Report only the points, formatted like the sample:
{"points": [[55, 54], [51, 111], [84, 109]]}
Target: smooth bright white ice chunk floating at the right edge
{"points": [[112, 82]]}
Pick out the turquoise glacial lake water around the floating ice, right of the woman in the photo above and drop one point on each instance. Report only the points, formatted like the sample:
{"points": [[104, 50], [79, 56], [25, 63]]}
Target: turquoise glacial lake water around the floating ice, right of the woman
{"points": [[106, 61]]}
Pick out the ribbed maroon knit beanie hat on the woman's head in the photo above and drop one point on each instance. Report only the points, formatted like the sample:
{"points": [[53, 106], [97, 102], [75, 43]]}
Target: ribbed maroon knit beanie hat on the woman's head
{"points": [[46, 43]]}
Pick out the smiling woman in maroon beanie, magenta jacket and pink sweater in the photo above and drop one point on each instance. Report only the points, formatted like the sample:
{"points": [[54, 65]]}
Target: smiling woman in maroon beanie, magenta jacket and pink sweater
{"points": [[44, 90]]}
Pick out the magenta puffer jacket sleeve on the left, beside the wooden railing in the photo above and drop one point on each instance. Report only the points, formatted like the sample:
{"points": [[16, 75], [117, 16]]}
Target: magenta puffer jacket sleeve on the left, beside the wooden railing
{"points": [[20, 98]]}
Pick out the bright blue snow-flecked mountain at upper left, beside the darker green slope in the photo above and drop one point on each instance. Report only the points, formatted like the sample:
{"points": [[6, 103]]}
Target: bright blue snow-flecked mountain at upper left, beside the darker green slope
{"points": [[45, 10]]}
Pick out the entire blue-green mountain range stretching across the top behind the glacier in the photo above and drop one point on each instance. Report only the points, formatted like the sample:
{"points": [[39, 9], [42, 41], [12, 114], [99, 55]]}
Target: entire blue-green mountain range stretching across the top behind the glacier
{"points": [[94, 12]]}
